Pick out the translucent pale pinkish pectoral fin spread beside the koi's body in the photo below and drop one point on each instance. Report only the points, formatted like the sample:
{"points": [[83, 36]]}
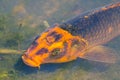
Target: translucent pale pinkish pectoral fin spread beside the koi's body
{"points": [[100, 54]]}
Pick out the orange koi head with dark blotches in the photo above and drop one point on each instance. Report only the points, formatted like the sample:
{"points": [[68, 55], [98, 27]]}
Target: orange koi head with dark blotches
{"points": [[53, 46]]}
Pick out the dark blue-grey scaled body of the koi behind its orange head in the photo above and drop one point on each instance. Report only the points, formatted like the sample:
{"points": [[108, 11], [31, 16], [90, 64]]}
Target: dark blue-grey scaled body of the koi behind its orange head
{"points": [[95, 27]]}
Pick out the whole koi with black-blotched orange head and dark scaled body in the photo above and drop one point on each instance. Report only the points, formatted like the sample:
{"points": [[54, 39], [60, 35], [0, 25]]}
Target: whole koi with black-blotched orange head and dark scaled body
{"points": [[79, 37]]}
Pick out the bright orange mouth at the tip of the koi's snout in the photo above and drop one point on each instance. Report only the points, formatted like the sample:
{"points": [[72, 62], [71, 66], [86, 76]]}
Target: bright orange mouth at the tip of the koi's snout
{"points": [[29, 62]]}
